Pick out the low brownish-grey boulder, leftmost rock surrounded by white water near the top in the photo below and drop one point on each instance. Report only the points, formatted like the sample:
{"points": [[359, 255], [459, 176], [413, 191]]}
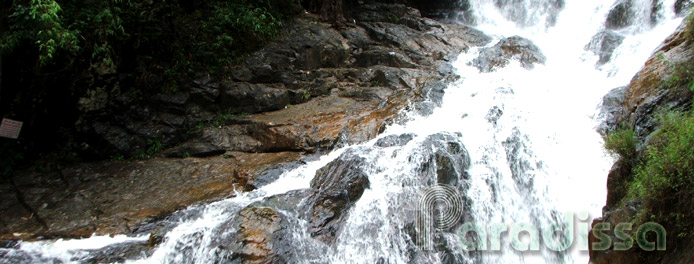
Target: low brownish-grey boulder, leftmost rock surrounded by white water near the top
{"points": [[500, 55]]}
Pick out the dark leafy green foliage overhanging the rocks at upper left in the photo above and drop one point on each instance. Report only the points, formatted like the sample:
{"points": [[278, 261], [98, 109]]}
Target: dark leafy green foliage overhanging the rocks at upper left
{"points": [[172, 40]]}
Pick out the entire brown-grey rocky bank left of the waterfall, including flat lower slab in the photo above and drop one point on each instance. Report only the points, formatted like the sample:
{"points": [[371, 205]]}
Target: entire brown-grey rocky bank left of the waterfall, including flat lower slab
{"points": [[314, 88]]}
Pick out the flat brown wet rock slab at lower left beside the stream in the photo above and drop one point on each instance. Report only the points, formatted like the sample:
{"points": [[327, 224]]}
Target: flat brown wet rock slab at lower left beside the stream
{"points": [[118, 196]]}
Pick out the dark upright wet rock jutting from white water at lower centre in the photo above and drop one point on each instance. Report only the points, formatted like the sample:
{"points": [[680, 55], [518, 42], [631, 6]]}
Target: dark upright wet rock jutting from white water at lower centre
{"points": [[339, 185]]}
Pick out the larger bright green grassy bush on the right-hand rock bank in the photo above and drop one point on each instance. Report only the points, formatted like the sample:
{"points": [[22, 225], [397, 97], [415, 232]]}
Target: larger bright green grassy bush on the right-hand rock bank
{"points": [[664, 177]]}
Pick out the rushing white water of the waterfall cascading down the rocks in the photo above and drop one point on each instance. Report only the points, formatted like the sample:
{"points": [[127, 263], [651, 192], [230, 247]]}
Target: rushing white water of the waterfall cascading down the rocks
{"points": [[522, 146]]}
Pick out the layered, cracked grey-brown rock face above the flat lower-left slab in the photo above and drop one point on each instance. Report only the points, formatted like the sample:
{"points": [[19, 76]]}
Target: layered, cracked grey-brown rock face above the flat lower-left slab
{"points": [[307, 81]]}
